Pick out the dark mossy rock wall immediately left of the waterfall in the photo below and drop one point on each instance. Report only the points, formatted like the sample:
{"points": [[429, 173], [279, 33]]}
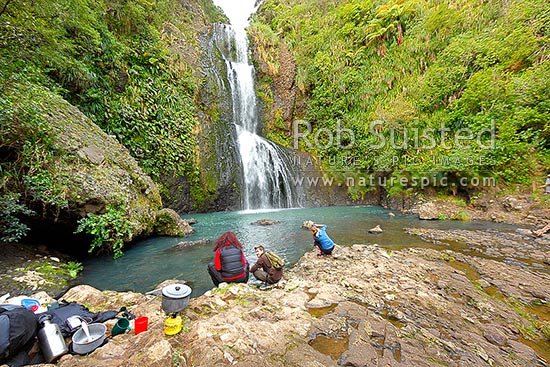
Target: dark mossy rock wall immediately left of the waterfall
{"points": [[216, 154]]}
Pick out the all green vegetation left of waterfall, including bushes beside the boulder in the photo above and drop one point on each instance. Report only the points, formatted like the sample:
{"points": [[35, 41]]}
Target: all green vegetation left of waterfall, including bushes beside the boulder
{"points": [[127, 65]]}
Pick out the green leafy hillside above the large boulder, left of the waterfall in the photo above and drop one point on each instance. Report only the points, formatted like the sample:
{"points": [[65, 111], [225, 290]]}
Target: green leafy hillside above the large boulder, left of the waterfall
{"points": [[112, 60]]}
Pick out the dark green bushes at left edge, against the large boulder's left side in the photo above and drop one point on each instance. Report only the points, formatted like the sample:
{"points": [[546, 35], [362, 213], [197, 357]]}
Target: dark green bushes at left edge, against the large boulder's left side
{"points": [[26, 153]]}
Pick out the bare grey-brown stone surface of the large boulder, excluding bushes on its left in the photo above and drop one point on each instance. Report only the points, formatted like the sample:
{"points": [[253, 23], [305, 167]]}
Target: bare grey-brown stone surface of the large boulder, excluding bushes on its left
{"points": [[97, 170]]}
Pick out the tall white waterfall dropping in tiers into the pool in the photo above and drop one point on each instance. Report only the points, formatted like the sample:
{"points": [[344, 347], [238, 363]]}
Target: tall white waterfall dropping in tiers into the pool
{"points": [[266, 172]]}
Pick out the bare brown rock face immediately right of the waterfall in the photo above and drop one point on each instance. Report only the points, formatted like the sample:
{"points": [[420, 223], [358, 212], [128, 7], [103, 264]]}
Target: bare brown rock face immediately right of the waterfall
{"points": [[283, 103]]}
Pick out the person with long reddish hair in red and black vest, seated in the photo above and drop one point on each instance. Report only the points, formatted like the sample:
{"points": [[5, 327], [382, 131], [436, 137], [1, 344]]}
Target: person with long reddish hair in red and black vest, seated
{"points": [[229, 264]]}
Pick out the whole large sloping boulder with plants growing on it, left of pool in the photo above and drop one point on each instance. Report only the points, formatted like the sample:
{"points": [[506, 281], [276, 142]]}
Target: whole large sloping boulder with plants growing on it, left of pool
{"points": [[75, 167]]}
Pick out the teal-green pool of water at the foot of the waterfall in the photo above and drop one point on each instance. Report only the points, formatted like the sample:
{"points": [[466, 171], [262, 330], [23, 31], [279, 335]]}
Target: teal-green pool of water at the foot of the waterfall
{"points": [[151, 261]]}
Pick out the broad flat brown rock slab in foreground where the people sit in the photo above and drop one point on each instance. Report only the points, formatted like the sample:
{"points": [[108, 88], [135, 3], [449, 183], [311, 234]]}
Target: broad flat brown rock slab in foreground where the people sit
{"points": [[364, 306]]}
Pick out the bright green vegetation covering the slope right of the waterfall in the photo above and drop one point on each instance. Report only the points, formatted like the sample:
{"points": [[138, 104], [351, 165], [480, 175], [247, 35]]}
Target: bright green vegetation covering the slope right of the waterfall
{"points": [[396, 72]]}
